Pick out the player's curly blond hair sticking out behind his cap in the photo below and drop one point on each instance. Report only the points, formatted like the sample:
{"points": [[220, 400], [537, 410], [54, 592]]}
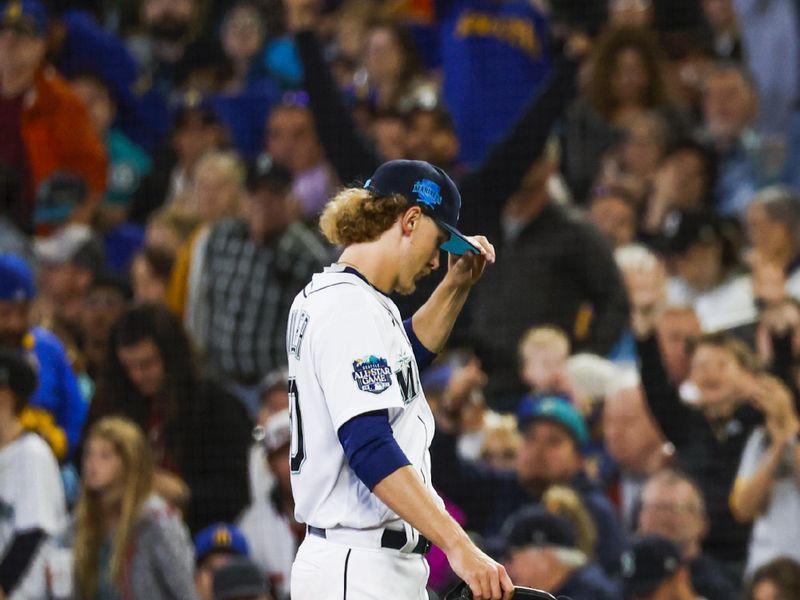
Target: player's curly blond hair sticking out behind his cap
{"points": [[357, 215]]}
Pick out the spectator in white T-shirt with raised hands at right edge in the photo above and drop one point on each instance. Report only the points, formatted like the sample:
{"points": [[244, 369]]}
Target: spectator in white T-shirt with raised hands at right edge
{"points": [[766, 489]]}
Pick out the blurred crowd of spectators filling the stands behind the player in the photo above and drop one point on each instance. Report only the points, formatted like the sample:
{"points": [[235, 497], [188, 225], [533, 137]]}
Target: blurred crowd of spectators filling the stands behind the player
{"points": [[617, 410]]}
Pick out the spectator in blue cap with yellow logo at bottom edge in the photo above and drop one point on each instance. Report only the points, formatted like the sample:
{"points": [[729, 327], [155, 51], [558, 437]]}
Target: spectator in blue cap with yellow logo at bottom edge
{"points": [[214, 547]]}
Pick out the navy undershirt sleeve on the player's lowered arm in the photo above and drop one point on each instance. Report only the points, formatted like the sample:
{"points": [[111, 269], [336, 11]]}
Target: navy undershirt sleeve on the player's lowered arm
{"points": [[370, 447]]}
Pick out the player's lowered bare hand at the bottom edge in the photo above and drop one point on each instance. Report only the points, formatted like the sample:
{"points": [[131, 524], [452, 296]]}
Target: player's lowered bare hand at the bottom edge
{"points": [[486, 578]]}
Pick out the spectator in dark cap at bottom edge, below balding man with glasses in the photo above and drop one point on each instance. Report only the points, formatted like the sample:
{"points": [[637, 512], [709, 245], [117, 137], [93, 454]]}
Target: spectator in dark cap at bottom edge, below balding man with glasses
{"points": [[653, 570]]}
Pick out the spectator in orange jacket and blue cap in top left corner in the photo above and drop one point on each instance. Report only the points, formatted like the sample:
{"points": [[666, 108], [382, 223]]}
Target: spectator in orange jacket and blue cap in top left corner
{"points": [[44, 126]]}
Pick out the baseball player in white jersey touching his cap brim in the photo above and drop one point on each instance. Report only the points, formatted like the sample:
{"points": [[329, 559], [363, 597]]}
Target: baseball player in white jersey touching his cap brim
{"points": [[361, 426]]}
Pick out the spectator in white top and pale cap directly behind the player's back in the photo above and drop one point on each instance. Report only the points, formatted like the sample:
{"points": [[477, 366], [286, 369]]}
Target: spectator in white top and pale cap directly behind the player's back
{"points": [[268, 523]]}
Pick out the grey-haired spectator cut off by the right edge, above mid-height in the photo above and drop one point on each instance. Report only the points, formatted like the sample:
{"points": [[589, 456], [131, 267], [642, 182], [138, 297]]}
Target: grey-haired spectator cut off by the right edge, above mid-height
{"points": [[773, 226]]}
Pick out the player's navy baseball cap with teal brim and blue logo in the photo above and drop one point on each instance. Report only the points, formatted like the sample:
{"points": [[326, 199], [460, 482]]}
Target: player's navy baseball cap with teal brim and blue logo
{"points": [[431, 189]]}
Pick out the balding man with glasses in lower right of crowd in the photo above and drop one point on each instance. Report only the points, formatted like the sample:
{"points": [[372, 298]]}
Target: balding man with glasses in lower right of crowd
{"points": [[672, 506]]}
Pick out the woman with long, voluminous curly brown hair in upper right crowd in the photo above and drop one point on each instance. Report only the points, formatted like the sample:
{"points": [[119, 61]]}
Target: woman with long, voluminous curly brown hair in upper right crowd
{"points": [[626, 81]]}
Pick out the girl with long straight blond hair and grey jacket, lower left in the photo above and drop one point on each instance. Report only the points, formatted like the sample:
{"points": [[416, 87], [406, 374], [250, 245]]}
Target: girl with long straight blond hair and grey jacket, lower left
{"points": [[128, 543]]}
